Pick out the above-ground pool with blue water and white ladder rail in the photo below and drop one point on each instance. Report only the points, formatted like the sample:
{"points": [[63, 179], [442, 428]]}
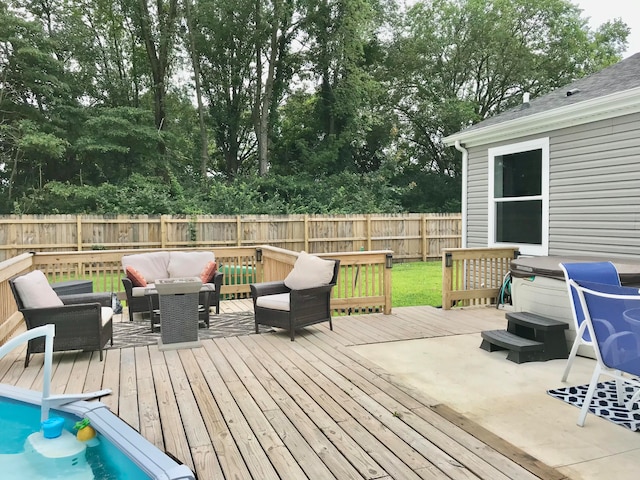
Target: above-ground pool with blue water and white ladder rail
{"points": [[37, 446]]}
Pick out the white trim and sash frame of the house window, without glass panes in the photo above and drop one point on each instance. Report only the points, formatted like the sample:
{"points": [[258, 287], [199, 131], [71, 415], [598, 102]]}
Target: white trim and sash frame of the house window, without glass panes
{"points": [[525, 248]]}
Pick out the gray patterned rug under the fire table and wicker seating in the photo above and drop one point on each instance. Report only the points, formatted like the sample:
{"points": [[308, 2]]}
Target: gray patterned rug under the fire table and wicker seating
{"points": [[138, 333]]}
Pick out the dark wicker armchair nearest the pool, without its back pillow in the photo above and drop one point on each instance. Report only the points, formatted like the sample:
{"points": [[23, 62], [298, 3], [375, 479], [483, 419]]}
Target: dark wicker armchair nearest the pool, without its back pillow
{"points": [[81, 323]]}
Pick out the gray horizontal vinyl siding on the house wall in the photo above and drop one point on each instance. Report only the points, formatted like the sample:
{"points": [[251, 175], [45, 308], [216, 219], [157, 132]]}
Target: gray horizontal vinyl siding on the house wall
{"points": [[594, 189]]}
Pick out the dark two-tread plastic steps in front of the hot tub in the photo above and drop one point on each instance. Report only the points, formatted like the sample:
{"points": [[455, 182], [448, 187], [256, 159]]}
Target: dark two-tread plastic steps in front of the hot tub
{"points": [[528, 338]]}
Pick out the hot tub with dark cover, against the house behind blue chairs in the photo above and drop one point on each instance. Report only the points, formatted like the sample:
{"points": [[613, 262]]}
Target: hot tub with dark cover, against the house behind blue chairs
{"points": [[538, 286]]}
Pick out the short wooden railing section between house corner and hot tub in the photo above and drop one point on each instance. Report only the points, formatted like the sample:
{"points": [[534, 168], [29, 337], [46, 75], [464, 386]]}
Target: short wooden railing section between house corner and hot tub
{"points": [[473, 276]]}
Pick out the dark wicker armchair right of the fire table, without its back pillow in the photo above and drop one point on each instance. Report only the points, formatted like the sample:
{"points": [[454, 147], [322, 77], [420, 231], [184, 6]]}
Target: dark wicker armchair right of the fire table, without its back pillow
{"points": [[277, 305]]}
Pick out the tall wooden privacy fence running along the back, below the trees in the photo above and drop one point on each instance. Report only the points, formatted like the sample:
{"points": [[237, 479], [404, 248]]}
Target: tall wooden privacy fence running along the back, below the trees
{"points": [[409, 236]]}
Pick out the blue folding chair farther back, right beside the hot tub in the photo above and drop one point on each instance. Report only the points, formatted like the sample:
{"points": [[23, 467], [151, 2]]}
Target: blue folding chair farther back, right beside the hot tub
{"points": [[599, 272]]}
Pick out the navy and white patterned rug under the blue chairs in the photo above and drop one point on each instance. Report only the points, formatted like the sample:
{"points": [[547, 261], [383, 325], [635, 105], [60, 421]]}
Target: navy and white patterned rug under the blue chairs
{"points": [[603, 404]]}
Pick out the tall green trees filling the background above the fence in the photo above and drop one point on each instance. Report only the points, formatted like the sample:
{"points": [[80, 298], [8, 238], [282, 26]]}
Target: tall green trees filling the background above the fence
{"points": [[267, 106]]}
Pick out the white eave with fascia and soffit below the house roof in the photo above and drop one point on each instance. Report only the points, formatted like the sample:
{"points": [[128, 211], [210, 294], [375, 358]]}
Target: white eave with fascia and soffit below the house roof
{"points": [[608, 106]]}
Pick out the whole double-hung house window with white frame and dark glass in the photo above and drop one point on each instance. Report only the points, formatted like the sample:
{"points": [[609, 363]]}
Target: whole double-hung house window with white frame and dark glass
{"points": [[519, 196]]}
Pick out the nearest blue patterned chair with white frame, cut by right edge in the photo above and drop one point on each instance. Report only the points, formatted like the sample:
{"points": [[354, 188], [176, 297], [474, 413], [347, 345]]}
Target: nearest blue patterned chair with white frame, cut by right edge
{"points": [[612, 319]]}
